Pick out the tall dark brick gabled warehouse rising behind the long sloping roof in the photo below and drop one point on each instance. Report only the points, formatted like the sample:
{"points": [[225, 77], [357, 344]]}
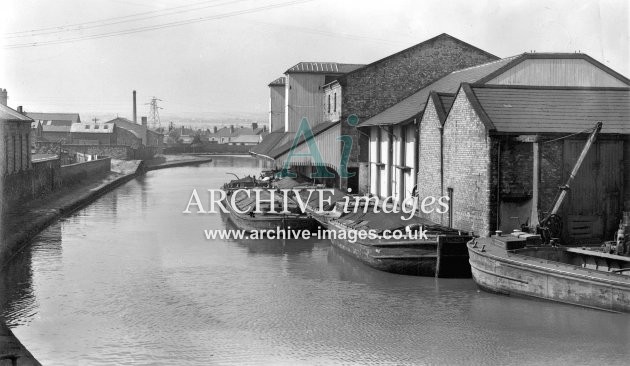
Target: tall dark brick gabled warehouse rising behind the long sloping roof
{"points": [[374, 87]]}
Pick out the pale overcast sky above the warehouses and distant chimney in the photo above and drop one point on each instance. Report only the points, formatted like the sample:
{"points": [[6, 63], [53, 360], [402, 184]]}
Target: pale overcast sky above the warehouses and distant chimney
{"points": [[213, 58]]}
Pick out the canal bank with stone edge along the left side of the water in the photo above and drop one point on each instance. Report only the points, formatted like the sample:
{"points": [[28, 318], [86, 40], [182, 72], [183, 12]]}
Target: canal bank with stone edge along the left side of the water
{"points": [[22, 224]]}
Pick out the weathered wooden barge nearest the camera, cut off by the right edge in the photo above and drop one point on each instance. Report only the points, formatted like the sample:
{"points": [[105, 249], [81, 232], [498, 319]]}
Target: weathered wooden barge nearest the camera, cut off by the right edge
{"points": [[579, 276]]}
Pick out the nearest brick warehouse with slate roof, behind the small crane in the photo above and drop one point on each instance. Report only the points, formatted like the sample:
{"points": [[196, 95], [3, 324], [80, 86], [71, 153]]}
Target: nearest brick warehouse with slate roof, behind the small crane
{"points": [[488, 157]]}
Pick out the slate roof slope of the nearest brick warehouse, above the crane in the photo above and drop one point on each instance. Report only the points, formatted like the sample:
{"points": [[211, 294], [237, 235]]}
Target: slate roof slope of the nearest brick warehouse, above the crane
{"points": [[530, 109]]}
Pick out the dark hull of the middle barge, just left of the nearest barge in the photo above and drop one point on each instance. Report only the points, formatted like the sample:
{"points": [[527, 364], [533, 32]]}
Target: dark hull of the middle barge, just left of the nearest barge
{"points": [[440, 256]]}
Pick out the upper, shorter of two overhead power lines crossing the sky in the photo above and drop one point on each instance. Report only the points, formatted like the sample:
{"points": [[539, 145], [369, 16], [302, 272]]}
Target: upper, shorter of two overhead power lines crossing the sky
{"points": [[115, 20]]}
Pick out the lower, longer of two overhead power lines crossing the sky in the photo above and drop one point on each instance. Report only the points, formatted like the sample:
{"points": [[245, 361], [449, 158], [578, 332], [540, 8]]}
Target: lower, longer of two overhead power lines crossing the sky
{"points": [[156, 27]]}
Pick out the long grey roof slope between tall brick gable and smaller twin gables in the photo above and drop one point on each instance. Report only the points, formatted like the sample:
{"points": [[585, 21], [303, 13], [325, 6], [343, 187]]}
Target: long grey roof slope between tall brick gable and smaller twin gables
{"points": [[415, 103]]}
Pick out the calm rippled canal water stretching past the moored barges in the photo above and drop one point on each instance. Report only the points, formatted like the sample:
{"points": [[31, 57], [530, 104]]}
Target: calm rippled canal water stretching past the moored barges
{"points": [[132, 280]]}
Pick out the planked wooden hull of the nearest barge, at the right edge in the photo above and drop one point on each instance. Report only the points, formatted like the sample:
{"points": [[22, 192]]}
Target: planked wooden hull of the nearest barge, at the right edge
{"points": [[496, 270]]}
